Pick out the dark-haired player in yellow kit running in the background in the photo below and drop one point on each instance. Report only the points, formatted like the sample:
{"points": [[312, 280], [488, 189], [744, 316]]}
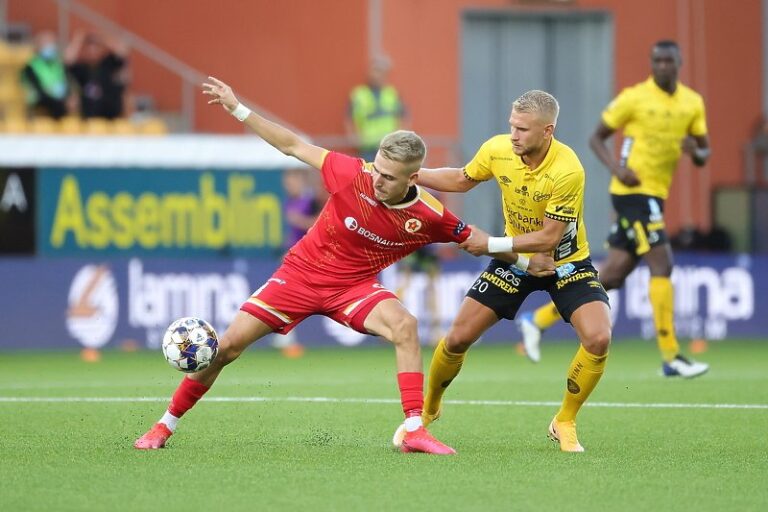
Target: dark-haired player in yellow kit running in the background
{"points": [[661, 118]]}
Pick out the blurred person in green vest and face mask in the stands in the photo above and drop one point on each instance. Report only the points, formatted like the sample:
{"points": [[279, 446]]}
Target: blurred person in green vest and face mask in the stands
{"points": [[45, 79]]}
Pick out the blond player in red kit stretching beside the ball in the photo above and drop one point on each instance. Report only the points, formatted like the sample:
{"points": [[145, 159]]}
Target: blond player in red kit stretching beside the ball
{"points": [[375, 216]]}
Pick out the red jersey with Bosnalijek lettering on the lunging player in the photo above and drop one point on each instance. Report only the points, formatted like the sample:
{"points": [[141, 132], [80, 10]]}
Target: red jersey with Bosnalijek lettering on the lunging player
{"points": [[356, 236]]}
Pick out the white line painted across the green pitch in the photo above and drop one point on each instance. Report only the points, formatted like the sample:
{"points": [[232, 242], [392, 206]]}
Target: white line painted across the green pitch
{"points": [[258, 399]]}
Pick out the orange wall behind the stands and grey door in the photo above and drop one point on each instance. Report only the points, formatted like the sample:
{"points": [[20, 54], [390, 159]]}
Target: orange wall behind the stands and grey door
{"points": [[298, 59]]}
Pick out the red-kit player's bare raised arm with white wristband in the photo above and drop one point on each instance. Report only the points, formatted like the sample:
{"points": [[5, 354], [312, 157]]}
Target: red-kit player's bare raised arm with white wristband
{"points": [[278, 136]]}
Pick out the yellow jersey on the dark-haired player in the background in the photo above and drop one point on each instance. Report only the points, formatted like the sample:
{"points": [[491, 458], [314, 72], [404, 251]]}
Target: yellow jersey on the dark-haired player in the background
{"points": [[654, 123]]}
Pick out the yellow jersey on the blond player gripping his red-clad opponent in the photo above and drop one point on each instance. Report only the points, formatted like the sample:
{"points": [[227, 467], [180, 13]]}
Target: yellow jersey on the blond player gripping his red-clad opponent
{"points": [[555, 189]]}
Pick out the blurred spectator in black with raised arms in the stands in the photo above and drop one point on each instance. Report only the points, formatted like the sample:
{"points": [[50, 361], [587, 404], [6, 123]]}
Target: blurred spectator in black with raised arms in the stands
{"points": [[98, 66]]}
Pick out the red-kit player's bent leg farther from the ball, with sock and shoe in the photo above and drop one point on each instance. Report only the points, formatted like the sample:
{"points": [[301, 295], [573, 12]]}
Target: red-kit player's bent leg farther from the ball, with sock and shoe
{"points": [[393, 322]]}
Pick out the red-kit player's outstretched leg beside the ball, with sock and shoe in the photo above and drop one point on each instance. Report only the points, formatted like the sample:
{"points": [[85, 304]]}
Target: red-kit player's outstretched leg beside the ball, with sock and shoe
{"points": [[244, 330]]}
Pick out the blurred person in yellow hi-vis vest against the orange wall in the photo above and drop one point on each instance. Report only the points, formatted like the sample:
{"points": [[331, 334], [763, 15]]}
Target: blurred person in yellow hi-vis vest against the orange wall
{"points": [[375, 109]]}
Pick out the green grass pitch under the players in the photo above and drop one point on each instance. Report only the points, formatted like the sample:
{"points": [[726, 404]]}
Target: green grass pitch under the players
{"points": [[67, 428]]}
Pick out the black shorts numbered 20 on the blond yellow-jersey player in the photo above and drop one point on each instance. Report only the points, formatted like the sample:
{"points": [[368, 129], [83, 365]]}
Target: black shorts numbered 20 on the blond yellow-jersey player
{"points": [[503, 287]]}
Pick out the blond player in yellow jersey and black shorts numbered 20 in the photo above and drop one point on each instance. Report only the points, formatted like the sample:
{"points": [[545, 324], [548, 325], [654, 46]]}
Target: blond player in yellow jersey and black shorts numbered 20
{"points": [[542, 190]]}
